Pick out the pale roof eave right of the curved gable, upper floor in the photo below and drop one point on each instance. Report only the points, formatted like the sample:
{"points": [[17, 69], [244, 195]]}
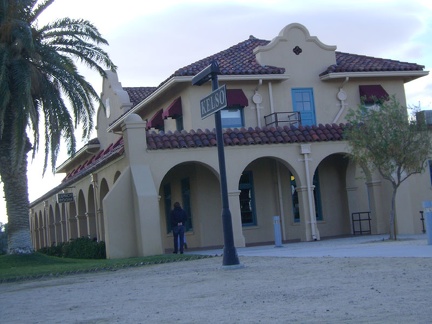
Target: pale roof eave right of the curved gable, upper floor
{"points": [[406, 75]]}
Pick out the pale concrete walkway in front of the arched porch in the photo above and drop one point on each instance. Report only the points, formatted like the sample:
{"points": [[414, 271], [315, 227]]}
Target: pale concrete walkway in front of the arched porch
{"points": [[355, 247]]}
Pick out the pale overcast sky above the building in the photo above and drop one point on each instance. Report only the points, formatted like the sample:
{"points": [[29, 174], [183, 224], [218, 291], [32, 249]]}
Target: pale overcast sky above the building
{"points": [[149, 40]]}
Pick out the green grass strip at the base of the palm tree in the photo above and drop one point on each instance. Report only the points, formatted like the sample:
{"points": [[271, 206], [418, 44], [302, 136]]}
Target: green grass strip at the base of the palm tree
{"points": [[38, 265]]}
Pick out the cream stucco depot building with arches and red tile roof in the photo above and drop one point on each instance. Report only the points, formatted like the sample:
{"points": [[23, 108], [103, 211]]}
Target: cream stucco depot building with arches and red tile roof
{"points": [[285, 154]]}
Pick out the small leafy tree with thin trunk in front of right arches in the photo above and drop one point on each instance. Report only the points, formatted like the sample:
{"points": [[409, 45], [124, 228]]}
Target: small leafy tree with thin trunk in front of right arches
{"points": [[385, 139]]}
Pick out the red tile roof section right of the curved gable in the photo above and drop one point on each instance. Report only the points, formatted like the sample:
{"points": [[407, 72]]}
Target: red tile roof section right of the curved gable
{"points": [[346, 62]]}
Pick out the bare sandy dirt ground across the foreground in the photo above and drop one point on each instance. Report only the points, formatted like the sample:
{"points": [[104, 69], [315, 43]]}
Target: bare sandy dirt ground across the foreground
{"points": [[264, 290]]}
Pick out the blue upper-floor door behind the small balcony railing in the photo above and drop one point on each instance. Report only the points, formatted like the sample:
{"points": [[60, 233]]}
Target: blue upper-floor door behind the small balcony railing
{"points": [[303, 103]]}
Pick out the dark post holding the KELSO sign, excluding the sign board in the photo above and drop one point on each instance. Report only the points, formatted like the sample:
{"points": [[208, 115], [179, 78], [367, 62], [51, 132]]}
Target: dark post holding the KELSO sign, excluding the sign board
{"points": [[230, 257]]}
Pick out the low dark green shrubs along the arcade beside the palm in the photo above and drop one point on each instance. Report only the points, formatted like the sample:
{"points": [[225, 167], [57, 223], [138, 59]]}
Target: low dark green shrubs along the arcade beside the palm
{"points": [[80, 248]]}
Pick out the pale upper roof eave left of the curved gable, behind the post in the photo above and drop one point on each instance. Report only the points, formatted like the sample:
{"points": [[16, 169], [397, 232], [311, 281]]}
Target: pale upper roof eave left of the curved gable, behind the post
{"points": [[116, 126]]}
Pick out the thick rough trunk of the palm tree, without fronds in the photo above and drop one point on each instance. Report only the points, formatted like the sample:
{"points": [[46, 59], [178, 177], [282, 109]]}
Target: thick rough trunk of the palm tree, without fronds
{"points": [[15, 188]]}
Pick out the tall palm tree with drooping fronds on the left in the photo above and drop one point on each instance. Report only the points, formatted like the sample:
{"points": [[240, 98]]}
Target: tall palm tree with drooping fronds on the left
{"points": [[37, 75]]}
